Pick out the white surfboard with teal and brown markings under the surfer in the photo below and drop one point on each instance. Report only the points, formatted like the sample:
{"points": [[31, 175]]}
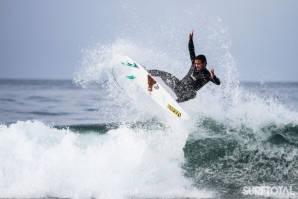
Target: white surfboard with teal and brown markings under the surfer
{"points": [[153, 88]]}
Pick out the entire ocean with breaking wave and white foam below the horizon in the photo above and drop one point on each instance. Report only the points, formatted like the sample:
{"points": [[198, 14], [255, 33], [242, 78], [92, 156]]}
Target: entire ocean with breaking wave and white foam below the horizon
{"points": [[58, 139]]}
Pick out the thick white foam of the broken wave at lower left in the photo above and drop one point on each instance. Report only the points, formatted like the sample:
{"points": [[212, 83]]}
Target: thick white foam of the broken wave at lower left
{"points": [[38, 160]]}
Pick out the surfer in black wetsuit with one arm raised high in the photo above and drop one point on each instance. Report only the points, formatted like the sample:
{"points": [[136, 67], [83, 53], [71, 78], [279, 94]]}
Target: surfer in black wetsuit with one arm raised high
{"points": [[195, 79]]}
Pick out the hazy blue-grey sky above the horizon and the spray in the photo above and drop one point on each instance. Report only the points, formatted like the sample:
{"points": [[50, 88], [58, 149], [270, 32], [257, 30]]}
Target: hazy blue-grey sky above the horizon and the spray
{"points": [[44, 39]]}
